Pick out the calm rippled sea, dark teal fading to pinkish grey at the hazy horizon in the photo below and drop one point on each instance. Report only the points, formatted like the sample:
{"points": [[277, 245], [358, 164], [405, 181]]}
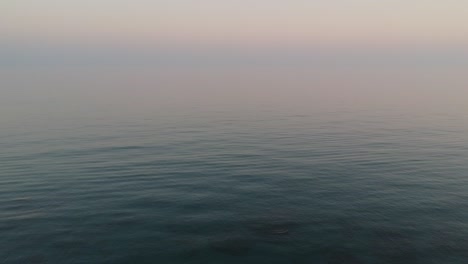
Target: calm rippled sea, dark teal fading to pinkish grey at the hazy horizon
{"points": [[185, 166]]}
